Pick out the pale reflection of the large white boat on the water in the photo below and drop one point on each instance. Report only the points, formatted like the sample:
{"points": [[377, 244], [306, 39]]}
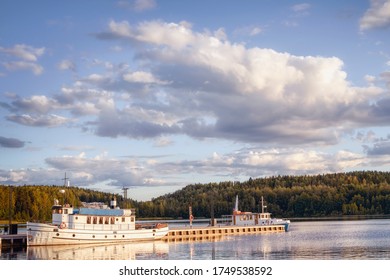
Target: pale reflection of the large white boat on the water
{"points": [[122, 251]]}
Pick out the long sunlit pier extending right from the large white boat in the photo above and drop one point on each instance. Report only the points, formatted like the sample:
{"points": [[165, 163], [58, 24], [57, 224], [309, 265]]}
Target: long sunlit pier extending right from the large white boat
{"points": [[204, 233]]}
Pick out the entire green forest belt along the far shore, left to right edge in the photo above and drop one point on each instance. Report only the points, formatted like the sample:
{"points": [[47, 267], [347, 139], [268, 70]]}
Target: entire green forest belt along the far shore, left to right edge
{"points": [[352, 193]]}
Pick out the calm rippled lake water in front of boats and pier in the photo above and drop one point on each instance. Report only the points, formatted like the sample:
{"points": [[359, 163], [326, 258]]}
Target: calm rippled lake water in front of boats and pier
{"points": [[359, 239]]}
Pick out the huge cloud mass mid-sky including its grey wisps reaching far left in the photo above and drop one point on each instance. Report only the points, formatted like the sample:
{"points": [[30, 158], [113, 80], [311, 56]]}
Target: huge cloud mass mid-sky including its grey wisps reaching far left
{"points": [[202, 85]]}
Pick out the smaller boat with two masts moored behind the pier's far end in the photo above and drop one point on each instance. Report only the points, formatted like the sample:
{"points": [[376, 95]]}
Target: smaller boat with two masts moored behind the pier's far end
{"points": [[240, 218]]}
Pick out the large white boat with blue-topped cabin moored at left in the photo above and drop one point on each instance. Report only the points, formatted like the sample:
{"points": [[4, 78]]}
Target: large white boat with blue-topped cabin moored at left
{"points": [[91, 225]]}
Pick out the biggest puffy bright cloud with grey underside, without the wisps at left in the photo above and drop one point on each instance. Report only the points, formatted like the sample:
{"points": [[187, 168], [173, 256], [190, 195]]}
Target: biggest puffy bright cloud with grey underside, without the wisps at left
{"points": [[256, 94]]}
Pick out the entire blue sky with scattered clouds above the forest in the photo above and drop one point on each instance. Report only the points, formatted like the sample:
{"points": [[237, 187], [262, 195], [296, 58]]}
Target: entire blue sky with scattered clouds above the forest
{"points": [[154, 95]]}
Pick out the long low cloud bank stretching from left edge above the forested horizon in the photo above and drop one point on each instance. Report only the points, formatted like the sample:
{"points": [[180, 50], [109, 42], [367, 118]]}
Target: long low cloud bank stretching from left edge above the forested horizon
{"points": [[159, 171]]}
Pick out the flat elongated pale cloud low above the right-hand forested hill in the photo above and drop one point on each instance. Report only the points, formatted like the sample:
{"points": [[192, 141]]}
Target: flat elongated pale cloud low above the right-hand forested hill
{"points": [[254, 162]]}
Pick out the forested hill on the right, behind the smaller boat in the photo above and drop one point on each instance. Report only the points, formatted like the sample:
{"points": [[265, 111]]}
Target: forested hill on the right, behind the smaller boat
{"points": [[353, 193]]}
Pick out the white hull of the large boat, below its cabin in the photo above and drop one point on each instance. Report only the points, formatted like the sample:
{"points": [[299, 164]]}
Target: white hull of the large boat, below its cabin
{"points": [[40, 234]]}
